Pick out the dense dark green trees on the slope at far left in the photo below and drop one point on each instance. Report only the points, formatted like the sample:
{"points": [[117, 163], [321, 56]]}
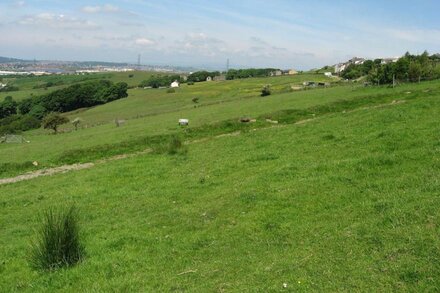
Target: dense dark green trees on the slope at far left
{"points": [[28, 113]]}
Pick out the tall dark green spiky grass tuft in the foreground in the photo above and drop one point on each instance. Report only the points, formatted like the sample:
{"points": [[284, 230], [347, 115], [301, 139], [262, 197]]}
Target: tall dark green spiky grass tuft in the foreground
{"points": [[58, 242]]}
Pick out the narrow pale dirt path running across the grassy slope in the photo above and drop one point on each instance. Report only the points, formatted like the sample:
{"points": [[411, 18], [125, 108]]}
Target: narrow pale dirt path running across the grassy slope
{"points": [[75, 167]]}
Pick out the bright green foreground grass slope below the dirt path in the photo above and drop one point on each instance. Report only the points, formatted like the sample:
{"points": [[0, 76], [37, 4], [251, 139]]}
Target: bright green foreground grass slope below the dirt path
{"points": [[348, 202]]}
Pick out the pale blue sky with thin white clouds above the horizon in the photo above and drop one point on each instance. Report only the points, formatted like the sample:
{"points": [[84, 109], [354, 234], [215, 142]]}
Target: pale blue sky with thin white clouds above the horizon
{"points": [[276, 33]]}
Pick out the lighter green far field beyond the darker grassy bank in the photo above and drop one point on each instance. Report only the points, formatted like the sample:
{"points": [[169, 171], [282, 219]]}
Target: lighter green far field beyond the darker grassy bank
{"points": [[173, 107]]}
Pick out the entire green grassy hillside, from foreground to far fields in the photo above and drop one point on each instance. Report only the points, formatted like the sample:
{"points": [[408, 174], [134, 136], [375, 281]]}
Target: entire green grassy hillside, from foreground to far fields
{"points": [[340, 195]]}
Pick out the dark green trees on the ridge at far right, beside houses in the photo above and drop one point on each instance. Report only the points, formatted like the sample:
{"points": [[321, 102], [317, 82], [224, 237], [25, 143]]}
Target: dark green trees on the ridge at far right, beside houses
{"points": [[409, 68]]}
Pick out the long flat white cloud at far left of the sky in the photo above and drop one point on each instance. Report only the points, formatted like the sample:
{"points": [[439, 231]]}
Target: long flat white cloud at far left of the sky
{"points": [[59, 21]]}
